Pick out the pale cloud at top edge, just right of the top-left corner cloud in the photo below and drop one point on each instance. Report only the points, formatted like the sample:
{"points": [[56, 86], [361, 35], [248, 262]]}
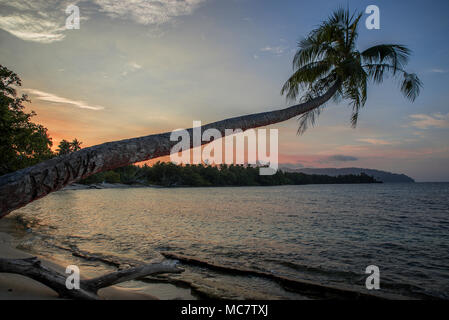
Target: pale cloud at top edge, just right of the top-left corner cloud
{"points": [[148, 11]]}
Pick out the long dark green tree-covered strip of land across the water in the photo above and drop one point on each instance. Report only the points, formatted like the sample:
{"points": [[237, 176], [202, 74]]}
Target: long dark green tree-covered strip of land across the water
{"points": [[172, 175]]}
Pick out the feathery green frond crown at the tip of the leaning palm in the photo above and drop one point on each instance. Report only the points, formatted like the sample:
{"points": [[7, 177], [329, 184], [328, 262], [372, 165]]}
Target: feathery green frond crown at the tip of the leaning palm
{"points": [[329, 56]]}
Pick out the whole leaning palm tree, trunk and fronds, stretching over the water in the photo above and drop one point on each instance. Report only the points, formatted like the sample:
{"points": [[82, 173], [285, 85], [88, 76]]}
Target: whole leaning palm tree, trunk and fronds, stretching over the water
{"points": [[327, 66]]}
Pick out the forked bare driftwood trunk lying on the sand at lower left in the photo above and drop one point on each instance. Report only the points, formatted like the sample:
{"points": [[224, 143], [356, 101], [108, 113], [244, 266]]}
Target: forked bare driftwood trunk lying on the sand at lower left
{"points": [[34, 269]]}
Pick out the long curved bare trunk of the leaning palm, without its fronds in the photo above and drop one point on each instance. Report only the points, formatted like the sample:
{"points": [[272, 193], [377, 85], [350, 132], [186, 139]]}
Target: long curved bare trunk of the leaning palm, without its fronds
{"points": [[24, 186]]}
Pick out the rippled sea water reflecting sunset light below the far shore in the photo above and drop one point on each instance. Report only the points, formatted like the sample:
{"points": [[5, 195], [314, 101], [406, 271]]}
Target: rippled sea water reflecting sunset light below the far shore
{"points": [[327, 234]]}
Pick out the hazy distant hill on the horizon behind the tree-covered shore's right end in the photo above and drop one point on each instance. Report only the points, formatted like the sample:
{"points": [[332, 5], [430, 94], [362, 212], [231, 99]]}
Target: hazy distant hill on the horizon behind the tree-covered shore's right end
{"points": [[383, 176]]}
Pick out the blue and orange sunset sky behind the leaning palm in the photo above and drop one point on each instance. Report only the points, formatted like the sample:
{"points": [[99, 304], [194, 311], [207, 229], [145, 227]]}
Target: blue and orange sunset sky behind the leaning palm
{"points": [[143, 66]]}
